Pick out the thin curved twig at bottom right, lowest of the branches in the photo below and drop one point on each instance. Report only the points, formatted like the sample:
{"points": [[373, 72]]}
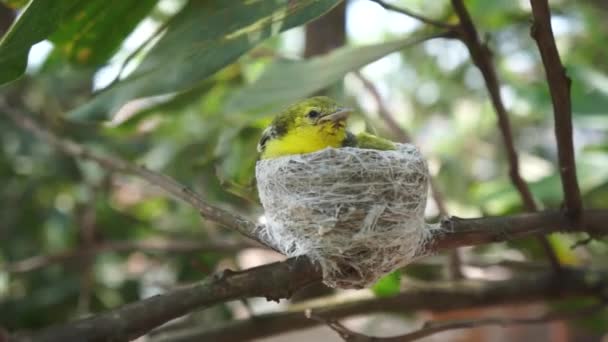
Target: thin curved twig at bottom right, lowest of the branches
{"points": [[432, 328]]}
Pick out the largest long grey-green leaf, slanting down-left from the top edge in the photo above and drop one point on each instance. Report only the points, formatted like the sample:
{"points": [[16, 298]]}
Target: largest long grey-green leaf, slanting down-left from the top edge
{"points": [[203, 38]]}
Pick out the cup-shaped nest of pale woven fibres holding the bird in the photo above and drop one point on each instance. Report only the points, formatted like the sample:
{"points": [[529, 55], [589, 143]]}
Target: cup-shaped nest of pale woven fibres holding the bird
{"points": [[359, 213]]}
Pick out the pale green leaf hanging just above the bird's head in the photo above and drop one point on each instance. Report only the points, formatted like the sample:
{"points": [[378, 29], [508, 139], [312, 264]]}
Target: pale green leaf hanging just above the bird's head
{"points": [[285, 82]]}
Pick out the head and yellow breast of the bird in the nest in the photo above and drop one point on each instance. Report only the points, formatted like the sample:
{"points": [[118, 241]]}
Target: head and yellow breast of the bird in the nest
{"points": [[319, 121]]}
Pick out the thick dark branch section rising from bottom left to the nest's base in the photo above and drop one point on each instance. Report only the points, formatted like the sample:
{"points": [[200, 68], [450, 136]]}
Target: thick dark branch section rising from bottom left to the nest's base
{"points": [[273, 281]]}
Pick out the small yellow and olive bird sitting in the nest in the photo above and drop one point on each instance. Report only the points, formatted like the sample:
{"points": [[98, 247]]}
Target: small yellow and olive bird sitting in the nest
{"points": [[311, 125]]}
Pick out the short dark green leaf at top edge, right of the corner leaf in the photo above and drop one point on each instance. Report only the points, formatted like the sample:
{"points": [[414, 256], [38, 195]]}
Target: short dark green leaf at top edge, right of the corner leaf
{"points": [[91, 31]]}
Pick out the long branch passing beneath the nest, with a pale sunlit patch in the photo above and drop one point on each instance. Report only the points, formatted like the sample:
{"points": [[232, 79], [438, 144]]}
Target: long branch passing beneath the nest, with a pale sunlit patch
{"points": [[460, 295]]}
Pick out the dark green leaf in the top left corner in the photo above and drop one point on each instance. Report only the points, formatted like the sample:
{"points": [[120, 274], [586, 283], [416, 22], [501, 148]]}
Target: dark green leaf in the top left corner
{"points": [[38, 21]]}
